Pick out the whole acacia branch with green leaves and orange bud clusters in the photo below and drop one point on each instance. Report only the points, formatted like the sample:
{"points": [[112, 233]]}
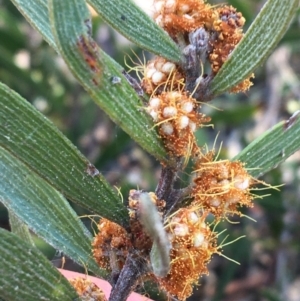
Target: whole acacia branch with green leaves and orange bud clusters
{"points": [[162, 235]]}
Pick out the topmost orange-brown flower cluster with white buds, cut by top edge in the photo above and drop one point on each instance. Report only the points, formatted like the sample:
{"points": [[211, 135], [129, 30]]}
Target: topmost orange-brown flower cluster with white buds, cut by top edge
{"points": [[222, 24]]}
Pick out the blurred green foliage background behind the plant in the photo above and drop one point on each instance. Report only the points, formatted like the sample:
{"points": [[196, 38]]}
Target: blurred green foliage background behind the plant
{"points": [[269, 256]]}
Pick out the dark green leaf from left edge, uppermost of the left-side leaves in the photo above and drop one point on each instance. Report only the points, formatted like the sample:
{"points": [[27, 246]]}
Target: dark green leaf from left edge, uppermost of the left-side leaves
{"points": [[33, 139]]}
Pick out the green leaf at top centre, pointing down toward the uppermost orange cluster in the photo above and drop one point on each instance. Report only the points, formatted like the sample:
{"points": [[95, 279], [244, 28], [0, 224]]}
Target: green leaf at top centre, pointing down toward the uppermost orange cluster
{"points": [[137, 27]]}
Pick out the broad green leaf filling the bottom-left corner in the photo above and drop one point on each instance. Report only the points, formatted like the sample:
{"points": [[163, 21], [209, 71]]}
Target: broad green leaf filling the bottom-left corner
{"points": [[27, 275]]}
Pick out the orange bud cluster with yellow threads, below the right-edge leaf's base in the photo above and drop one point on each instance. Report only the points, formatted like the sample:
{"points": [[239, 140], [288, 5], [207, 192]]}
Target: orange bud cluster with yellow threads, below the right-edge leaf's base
{"points": [[221, 187]]}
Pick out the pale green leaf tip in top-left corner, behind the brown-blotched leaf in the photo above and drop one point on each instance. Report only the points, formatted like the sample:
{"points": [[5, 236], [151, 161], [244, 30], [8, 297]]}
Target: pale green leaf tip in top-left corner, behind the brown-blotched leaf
{"points": [[36, 13]]}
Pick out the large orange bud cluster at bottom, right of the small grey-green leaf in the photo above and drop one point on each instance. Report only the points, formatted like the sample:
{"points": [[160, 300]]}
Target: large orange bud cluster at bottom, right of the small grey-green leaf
{"points": [[193, 243]]}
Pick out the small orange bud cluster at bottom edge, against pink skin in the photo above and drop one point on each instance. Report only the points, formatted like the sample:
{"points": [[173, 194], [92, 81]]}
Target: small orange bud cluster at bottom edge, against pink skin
{"points": [[87, 290]]}
